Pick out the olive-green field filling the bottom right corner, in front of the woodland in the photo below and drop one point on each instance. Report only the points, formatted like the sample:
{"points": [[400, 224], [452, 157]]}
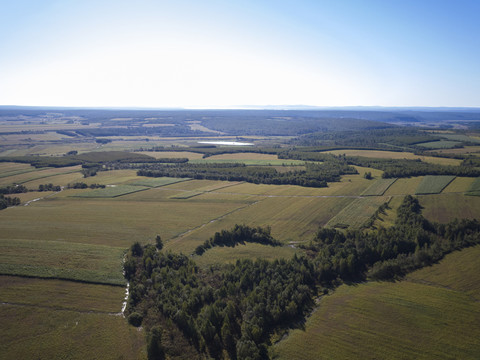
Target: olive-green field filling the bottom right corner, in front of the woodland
{"points": [[397, 320]]}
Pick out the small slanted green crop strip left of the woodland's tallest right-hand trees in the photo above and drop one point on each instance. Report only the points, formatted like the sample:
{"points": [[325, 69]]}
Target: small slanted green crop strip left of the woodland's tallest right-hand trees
{"points": [[357, 212]]}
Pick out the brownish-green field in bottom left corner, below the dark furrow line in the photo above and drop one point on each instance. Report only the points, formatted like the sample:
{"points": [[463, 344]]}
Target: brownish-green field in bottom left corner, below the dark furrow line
{"points": [[32, 332]]}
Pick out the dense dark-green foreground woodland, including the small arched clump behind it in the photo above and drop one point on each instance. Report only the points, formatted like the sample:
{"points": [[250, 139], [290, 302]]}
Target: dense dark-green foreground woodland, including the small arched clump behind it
{"points": [[232, 311]]}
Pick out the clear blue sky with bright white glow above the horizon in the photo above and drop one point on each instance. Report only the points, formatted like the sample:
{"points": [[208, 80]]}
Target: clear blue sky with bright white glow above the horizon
{"points": [[224, 54]]}
